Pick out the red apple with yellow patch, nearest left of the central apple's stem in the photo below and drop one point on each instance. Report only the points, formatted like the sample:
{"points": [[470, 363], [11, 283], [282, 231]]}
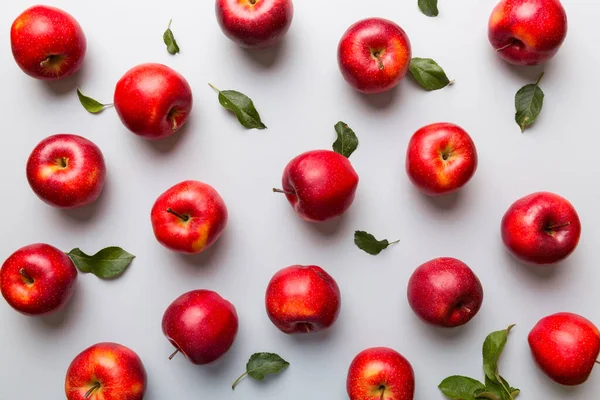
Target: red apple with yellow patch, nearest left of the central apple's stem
{"points": [[189, 217]]}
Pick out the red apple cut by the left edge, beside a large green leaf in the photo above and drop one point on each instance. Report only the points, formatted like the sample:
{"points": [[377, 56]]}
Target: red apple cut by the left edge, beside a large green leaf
{"points": [[53, 275]]}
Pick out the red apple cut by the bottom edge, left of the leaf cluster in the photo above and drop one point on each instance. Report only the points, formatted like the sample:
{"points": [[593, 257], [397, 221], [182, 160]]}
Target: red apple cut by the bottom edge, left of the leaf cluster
{"points": [[380, 373]]}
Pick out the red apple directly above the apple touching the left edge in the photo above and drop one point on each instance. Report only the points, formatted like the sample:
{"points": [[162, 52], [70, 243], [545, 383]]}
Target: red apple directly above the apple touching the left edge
{"points": [[66, 171]]}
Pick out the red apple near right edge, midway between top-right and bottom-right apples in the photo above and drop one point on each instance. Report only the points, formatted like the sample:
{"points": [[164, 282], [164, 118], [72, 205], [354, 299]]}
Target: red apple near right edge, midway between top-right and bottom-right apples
{"points": [[542, 228]]}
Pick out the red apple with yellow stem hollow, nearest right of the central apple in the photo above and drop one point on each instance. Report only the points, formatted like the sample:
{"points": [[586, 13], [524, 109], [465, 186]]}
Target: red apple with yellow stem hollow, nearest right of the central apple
{"points": [[441, 158]]}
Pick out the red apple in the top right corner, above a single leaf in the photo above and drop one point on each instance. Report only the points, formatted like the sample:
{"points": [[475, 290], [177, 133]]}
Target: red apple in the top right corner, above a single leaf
{"points": [[527, 32]]}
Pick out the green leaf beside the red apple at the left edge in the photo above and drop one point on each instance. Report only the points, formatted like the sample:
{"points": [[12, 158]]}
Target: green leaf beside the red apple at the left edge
{"points": [[107, 263]]}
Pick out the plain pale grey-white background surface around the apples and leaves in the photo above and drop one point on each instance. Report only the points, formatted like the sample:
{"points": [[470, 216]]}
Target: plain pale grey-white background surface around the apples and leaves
{"points": [[300, 94]]}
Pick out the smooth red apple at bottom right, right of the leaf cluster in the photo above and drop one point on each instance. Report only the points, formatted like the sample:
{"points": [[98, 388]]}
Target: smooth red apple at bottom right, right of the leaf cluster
{"points": [[566, 347]]}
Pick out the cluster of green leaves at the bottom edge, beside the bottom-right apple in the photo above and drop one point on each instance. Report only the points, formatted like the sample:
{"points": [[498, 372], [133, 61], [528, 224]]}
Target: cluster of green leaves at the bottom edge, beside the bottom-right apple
{"points": [[495, 387]]}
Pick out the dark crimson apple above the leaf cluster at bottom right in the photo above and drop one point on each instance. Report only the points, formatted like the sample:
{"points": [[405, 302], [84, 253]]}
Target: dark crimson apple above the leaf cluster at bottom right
{"points": [[445, 292]]}
